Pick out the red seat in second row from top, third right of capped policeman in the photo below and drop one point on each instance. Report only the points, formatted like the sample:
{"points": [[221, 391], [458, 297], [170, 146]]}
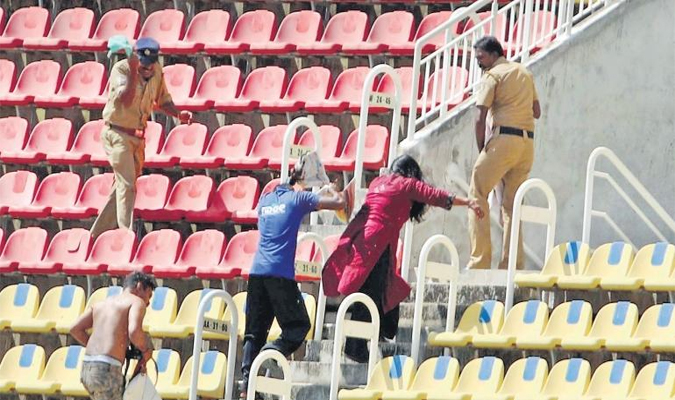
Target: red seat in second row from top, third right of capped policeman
{"points": [[267, 83]]}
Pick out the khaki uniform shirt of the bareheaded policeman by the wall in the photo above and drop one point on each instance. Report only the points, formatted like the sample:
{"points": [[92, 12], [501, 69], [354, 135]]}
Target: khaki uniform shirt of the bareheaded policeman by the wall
{"points": [[507, 89]]}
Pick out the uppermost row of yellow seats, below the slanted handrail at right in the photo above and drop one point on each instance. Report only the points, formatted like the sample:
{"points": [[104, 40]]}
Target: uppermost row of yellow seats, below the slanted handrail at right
{"points": [[612, 266]]}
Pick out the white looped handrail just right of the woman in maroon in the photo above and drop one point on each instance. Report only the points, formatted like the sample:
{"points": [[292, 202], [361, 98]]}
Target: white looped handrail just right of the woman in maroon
{"points": [[440, 272]]}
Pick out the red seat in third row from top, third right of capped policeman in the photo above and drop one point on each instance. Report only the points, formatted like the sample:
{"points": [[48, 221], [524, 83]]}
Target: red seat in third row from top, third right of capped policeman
{"points": [[227, 142]]}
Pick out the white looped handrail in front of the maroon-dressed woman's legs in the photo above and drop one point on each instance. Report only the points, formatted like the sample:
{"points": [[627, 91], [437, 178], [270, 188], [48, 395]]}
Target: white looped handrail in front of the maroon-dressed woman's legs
{"points": [[355, 329]]}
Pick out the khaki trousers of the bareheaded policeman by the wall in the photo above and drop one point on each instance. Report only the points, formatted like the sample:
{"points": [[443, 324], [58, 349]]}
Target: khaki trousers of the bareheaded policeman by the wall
{"points": [[506, 157]]}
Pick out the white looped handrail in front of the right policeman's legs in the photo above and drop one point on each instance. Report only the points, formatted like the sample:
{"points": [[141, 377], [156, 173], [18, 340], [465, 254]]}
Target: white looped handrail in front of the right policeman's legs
{"points": [[536, 215]]}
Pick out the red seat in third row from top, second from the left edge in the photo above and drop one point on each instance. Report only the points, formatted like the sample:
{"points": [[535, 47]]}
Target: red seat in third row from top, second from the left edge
{"points": [[49, 136]]}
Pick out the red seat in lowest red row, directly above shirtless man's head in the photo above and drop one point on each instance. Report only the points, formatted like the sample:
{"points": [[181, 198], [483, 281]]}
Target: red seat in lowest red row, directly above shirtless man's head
{"points": [[156, 248]]}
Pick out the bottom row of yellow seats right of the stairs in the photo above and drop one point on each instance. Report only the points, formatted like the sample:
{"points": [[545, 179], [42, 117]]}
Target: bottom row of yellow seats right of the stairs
{"points": [[395, 378]]}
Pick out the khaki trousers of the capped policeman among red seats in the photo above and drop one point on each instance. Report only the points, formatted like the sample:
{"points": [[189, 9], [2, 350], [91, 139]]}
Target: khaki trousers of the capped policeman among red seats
{"points": [[126, 154]]}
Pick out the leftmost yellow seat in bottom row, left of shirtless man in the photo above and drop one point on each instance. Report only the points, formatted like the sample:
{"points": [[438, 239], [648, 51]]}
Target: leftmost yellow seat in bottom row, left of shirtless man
{"points": [[20, 364]]}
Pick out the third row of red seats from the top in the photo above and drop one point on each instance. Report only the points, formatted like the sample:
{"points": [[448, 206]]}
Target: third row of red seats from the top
{"points": [[189, 146]]}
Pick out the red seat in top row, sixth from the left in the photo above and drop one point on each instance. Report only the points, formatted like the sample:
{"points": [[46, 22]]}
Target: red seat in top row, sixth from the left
{"points": [[251, 27]]}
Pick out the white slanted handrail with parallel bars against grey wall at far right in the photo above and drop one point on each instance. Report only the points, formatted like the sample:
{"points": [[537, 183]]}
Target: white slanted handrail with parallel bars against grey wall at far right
{"points": [[589, 212]]}
